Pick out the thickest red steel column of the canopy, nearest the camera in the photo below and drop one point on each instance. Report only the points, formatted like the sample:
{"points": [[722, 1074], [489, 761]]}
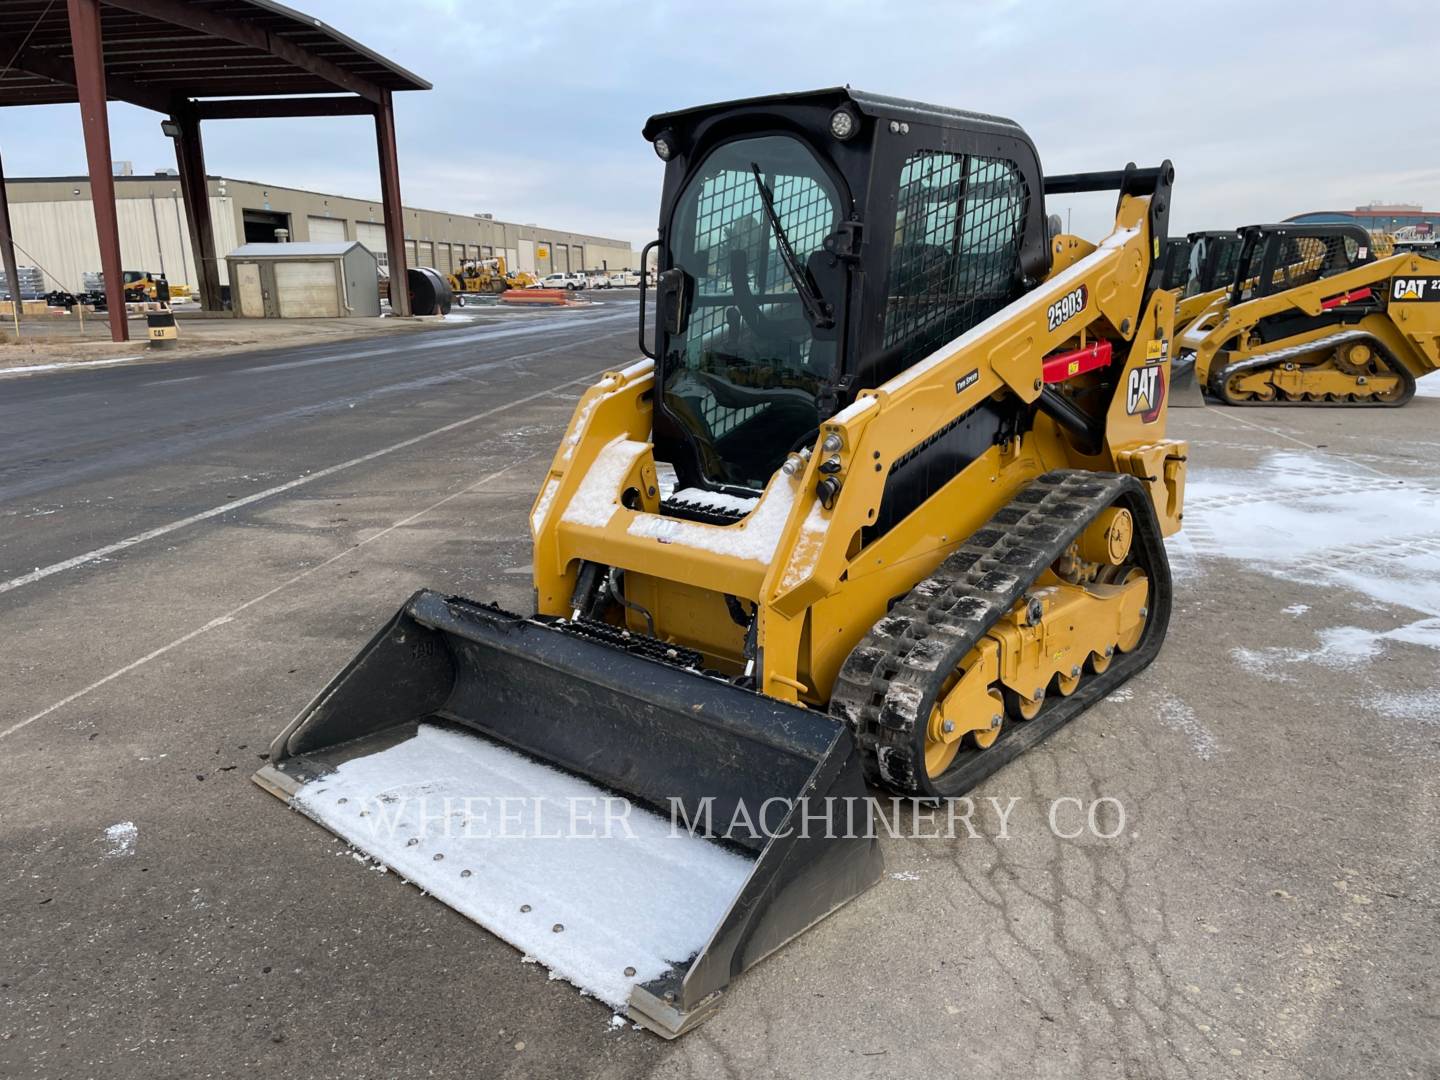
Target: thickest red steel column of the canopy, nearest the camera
{"points": [[90, 83]]}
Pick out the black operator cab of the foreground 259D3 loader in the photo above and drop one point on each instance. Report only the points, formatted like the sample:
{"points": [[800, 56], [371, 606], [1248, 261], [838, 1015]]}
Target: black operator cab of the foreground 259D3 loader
{"points": [[814, 246]]}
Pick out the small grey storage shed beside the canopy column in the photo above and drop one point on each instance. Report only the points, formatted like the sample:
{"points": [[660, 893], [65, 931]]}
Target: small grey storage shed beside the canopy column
{"points": [[309, 280]]}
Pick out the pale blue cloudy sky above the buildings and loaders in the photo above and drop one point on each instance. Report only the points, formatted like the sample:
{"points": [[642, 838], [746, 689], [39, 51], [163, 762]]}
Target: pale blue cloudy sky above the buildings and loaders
{"points": [[1266, 109]]}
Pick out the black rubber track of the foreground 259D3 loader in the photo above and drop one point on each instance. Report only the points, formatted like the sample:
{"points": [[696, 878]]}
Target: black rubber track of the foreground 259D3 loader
{"points": [[891, 682]]}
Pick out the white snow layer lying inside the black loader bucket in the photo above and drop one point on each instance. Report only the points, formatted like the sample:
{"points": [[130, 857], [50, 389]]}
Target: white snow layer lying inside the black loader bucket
{"points": [[535, 856]]}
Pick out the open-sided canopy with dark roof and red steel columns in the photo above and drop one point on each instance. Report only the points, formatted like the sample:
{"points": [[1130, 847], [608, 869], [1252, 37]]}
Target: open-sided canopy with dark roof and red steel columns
{"points": [[194, 61]]}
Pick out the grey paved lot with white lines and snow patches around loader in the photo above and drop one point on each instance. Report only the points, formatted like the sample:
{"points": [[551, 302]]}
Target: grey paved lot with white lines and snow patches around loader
{"points": [[1266, 908]]}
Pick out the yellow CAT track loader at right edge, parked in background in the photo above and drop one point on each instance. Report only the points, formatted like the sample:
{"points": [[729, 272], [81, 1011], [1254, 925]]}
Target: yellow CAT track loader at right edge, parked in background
{"points": [[1313, 318]]}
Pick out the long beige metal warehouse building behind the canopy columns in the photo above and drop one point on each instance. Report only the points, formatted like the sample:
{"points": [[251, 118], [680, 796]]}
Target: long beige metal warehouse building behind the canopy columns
{"points": [[55, 228]]}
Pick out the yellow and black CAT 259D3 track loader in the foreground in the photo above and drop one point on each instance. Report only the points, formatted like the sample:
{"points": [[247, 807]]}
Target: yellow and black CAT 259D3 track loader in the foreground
{"points": [[885, 500]]}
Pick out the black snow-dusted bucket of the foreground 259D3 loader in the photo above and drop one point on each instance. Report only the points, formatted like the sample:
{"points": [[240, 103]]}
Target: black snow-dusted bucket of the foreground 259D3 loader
{"points": [[580, 800]]}
